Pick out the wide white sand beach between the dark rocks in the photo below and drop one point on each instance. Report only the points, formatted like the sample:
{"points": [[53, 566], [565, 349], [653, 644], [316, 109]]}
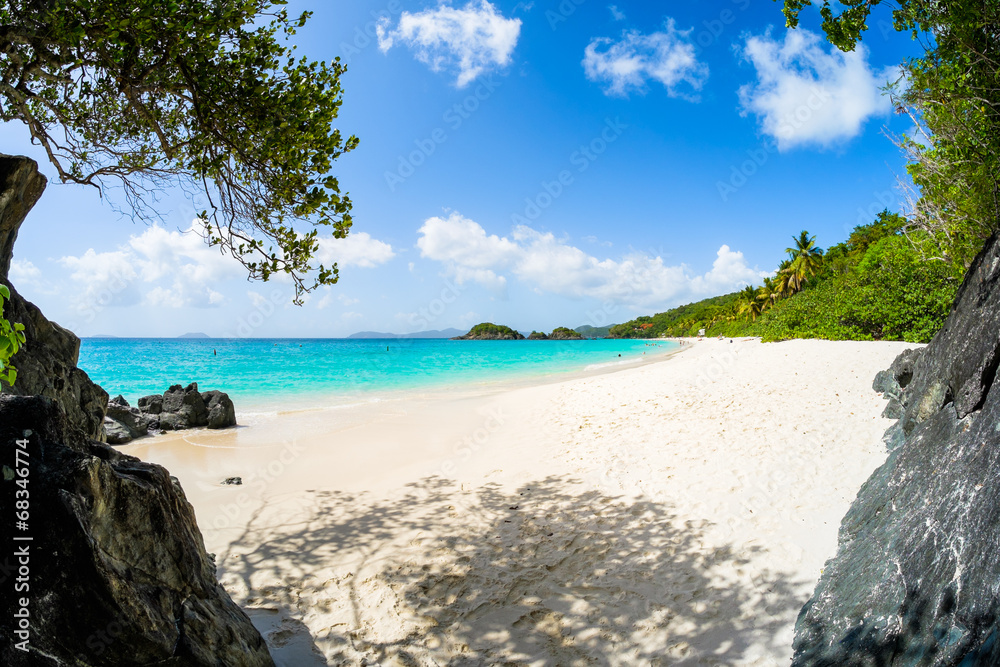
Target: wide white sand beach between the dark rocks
{"points": [[677, 513]]}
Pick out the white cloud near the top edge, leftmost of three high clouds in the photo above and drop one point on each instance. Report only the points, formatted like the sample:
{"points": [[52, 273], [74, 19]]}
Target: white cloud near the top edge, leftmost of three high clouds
{"points": [[469, 41]]}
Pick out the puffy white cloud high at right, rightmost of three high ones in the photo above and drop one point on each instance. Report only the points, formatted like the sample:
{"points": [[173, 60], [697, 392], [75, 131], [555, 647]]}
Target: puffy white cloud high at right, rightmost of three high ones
{"points": [[806, 94]]}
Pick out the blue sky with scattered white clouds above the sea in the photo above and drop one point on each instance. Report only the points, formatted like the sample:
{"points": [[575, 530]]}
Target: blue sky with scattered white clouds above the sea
{"points": [[534, 164]]}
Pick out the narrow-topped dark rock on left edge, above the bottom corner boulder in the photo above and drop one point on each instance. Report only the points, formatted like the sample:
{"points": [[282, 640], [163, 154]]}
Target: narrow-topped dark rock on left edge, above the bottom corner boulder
{"points": [[46, 364]]}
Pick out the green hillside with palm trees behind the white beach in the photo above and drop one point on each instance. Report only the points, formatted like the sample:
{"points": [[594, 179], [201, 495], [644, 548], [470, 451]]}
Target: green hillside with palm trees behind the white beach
{"points": [[874, 286]]}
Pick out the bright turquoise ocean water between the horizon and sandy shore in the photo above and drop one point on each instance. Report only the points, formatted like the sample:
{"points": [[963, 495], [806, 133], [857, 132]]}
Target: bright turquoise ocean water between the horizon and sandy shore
{"points": [[310, 373]]}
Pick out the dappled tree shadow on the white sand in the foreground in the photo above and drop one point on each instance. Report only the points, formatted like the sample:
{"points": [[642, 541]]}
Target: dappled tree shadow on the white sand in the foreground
{"points": [[554, 572]]}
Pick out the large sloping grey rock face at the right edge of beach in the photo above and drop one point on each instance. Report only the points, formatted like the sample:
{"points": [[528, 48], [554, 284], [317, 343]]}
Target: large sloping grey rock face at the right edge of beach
{"points": [[916, 579]]}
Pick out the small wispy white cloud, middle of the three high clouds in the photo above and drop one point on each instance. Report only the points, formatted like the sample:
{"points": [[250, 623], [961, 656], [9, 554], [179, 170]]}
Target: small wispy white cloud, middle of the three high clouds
{"points": [[628, 64]]}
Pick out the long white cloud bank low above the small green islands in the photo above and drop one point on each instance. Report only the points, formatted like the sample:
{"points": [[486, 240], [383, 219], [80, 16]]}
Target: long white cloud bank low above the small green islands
{"points": [[551, 265]]}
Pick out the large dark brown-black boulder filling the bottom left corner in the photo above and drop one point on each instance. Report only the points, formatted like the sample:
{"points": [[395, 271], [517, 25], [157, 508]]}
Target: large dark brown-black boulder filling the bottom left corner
{"points": [[118, 569]]}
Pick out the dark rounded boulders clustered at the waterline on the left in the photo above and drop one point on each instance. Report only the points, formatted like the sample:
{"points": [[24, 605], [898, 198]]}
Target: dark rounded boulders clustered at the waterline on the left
{"points": [[185, 407]]}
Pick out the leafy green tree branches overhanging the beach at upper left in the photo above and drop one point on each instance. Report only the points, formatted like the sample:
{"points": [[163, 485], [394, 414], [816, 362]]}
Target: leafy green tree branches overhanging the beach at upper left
{"points": [[206, 94]]}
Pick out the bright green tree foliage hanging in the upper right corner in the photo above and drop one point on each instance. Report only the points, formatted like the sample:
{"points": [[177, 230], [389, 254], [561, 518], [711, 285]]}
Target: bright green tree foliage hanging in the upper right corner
{"points": [[951, 93]]}
